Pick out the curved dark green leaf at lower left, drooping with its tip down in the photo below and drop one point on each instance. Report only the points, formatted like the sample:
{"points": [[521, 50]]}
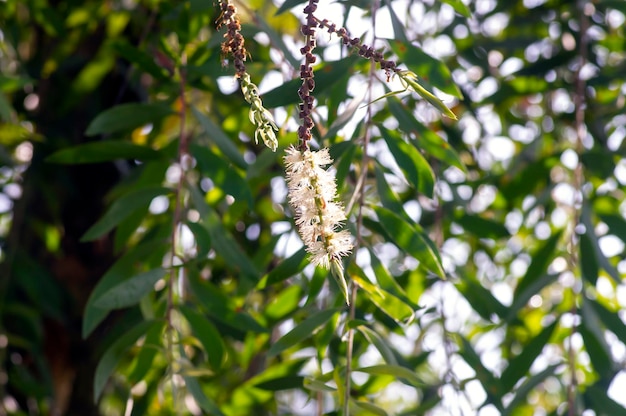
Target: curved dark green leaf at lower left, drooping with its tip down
{"points": [[114, 354]]}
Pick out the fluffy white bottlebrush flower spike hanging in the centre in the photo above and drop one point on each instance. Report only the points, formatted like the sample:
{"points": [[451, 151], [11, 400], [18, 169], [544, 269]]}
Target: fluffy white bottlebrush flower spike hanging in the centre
{"points": [[313, 194]]}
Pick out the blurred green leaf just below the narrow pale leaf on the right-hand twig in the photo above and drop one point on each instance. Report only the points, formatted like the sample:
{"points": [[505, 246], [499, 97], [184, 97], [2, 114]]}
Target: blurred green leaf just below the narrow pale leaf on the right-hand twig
{"points": [[424, 139]]}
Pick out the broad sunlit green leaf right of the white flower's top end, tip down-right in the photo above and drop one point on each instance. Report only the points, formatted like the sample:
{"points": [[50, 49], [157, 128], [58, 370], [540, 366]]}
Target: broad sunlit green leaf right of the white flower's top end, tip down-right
{"points": [[415, 167]]}
